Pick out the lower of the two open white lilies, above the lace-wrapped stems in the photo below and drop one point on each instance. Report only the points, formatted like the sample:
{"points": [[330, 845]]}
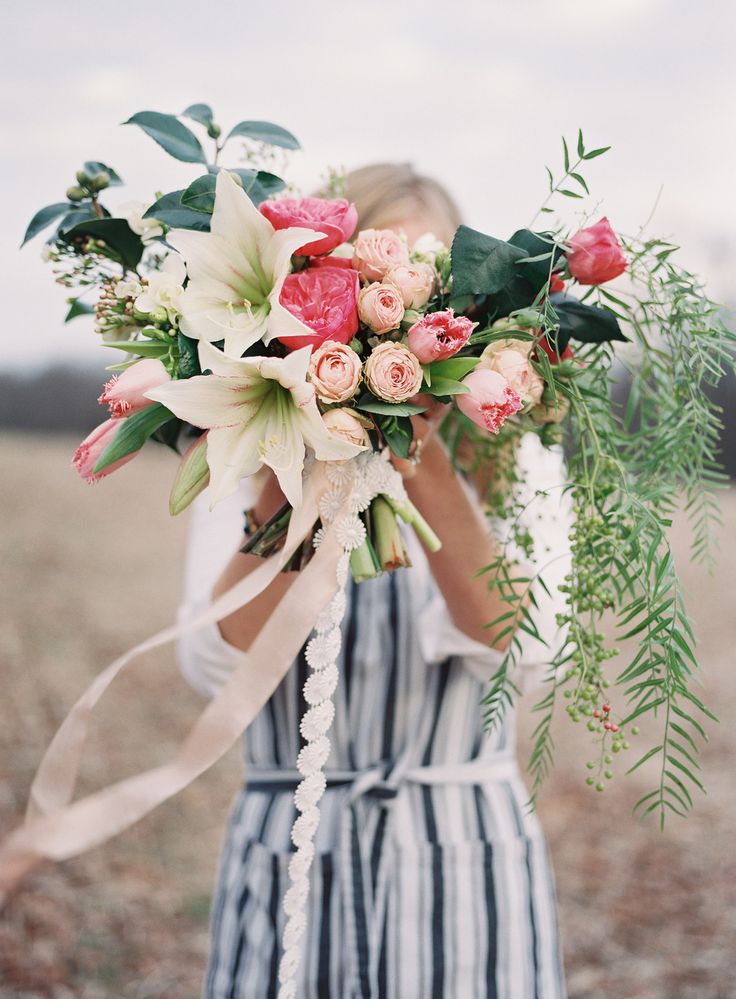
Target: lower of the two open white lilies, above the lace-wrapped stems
{"points": [[259, 411]]}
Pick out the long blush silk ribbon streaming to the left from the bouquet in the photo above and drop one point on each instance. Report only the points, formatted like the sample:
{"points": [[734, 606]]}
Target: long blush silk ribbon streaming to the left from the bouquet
{"points": [[56, 828]]}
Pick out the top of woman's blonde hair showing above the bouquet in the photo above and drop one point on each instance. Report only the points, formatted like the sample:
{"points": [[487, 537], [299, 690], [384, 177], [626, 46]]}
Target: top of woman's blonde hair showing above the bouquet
{"points": [[385, 192]]}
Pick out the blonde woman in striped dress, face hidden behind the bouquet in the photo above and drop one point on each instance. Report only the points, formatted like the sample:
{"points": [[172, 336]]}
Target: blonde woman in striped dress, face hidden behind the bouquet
{"points": [[430, 888]]}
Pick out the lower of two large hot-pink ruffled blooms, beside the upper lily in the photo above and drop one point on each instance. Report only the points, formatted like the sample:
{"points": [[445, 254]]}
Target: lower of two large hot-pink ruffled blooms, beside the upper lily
{"points": [[326, 300]]}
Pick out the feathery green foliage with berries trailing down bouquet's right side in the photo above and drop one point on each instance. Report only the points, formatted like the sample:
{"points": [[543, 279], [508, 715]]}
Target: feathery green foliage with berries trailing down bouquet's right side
{"points": [[631, 463]]}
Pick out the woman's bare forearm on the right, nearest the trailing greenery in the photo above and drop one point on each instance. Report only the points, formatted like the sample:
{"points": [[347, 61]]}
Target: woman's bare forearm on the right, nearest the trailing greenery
{"points": [[467, 544]]}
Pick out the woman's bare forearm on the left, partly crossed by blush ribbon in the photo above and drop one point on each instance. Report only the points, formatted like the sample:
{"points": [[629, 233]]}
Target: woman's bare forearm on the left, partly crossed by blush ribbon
{"points": [[241, 627]]}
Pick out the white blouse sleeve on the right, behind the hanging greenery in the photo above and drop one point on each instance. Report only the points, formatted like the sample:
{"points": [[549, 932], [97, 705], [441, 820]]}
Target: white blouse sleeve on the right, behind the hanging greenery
{"points": [[548, 517]]}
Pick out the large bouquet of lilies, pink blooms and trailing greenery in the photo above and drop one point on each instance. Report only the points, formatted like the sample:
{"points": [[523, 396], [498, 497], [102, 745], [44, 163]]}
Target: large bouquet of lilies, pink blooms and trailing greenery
{"points": [[259, 328]]}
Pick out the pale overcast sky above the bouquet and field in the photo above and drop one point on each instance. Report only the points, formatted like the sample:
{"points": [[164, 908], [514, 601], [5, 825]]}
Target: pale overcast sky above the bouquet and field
{"points": [[476, 92]]}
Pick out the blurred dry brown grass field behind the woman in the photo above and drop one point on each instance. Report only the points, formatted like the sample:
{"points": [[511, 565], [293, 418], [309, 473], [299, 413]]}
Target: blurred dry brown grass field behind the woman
{"points": [[87, 572]]}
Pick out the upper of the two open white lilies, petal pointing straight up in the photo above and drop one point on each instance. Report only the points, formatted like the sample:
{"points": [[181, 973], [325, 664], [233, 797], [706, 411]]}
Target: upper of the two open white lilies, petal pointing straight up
{"points": [[236, 272]]}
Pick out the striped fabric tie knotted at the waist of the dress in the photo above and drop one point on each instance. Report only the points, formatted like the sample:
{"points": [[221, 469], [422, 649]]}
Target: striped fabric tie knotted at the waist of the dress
{"points": [[364, 907]]}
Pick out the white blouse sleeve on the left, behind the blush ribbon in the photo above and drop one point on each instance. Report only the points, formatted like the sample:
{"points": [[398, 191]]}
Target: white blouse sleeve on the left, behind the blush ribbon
{"points": [[205, 659]]}
